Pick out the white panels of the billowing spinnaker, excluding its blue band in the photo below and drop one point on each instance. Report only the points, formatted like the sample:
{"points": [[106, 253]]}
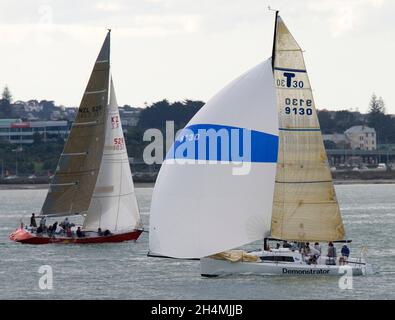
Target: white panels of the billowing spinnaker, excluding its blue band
{"points": [[201, 209]]}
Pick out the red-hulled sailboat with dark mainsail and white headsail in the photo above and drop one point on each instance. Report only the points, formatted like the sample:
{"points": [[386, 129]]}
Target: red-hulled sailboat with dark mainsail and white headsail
{"points": [[93, 176]]}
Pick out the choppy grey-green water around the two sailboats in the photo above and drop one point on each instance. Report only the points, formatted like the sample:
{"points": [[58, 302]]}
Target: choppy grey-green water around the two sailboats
{"points": [[123, 271]]}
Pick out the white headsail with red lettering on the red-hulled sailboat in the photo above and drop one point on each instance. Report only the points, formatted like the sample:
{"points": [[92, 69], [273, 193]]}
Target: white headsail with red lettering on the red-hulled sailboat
{"points": [[113, 205]]}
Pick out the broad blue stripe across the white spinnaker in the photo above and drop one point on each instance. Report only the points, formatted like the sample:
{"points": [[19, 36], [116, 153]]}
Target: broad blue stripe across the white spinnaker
{"points": [[213, 142]]}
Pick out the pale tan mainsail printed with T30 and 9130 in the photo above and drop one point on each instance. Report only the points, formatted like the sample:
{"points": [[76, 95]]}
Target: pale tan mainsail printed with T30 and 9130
{"points": [[305, 207]]}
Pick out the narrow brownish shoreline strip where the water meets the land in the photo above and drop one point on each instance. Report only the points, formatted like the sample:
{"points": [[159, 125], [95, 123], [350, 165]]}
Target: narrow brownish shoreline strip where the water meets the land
{"points": [[39, 186]]}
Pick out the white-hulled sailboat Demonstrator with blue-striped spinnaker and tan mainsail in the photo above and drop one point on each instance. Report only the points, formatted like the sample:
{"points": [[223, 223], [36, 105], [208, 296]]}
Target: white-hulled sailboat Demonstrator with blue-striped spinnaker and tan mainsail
{"points": [[204, 205]]}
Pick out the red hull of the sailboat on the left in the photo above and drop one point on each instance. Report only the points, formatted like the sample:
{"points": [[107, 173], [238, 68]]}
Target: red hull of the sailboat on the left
{"points": [[24, 236]]}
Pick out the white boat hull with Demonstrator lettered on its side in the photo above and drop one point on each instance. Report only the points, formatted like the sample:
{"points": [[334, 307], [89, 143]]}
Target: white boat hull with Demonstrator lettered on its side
{"points": [[213, 267]]}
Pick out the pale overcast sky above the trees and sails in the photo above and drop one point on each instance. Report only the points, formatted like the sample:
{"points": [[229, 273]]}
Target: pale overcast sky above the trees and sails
{"points": [[190, 49]]}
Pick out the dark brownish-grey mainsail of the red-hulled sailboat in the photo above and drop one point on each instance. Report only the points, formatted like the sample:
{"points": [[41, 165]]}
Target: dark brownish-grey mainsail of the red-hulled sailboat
{"points": [[71, 188]]}
